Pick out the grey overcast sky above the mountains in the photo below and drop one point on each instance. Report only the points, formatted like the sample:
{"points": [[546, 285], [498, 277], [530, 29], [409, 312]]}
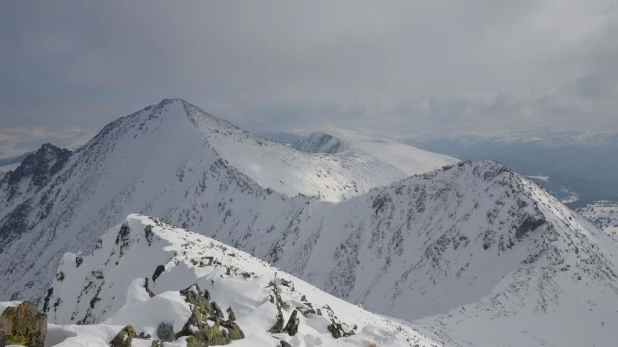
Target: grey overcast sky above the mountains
{"points": [[392, 66]]}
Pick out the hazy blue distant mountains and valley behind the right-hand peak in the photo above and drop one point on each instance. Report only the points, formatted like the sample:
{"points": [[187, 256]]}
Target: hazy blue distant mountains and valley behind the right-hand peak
{"points": [[576, 166]]}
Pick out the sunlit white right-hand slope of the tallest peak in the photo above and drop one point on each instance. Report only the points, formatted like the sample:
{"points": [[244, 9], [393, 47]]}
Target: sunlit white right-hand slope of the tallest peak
{"points": [[277, 166]]}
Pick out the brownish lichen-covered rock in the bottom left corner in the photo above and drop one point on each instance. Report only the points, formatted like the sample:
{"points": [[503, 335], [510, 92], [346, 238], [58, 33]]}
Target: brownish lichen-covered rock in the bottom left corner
{"points": [[23, 325]]}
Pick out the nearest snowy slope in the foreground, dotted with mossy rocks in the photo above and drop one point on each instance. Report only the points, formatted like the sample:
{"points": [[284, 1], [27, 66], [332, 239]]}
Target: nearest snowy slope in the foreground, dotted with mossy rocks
{"points": [[110, 290]]}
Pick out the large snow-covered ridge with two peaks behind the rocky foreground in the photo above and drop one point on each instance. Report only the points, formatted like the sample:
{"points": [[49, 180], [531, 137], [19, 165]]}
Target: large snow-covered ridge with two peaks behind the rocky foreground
{"points": [[473, 242]]}
